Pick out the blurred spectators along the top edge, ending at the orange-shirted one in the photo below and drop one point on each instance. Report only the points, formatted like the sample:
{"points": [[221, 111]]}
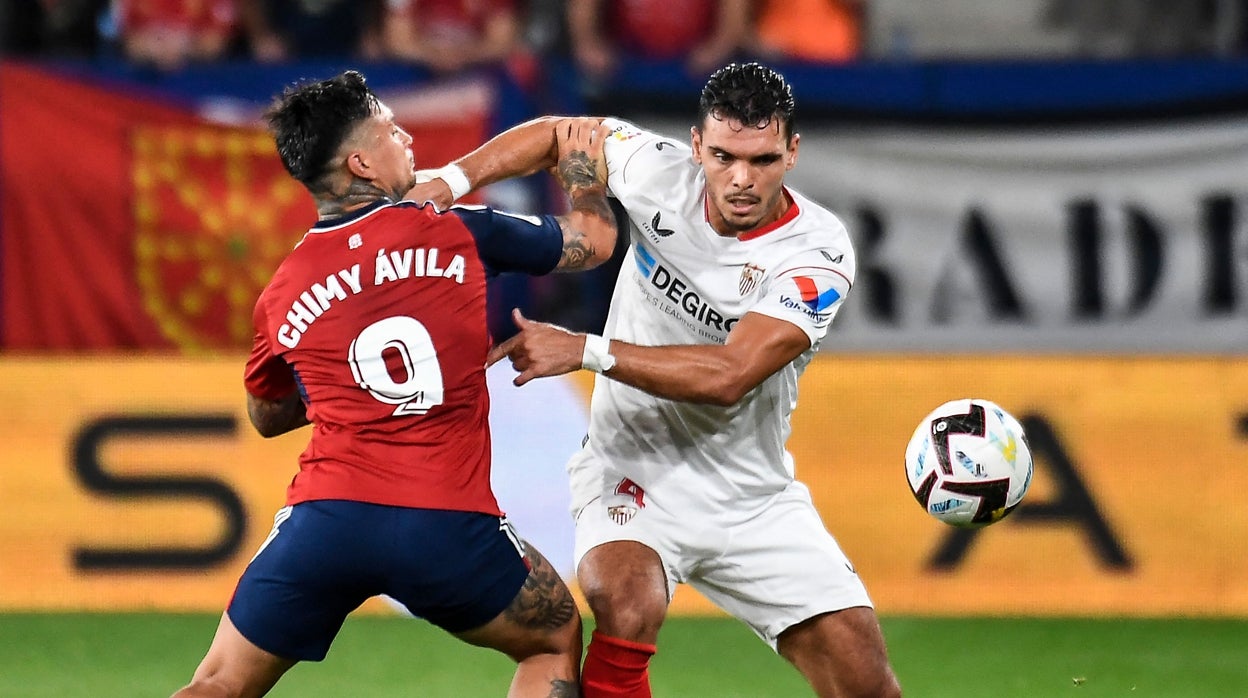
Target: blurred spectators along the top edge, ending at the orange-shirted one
{"points": [[444, 36]]}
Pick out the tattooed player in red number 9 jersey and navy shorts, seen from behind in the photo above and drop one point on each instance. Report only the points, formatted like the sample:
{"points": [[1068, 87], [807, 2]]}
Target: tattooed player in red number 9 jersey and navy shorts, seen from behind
{"points": [[374, 332]]}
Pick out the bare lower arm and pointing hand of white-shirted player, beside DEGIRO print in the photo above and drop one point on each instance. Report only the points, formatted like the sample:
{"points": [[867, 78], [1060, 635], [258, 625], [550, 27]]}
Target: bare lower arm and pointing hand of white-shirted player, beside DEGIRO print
{"points": [[757, 348]]}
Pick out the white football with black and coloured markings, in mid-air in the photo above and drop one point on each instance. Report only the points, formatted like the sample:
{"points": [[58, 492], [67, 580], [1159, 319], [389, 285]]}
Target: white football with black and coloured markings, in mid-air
{"points": [[969, 464]]}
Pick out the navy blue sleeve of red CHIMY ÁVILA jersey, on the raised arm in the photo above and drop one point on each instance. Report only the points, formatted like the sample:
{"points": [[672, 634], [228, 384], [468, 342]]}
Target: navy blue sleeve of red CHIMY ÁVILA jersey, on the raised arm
{"points": [[514, 243]]}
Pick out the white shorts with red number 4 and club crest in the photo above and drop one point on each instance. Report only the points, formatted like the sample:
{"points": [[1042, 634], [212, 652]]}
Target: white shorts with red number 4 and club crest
{"points": [[772, 568]]}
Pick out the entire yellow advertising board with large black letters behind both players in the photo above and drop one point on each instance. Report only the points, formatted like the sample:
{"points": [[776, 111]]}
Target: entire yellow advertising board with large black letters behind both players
{"points": [[139, 484]]}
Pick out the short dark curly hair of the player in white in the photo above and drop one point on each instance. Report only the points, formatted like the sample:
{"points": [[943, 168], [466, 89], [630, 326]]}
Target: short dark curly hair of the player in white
{"points": [[748, 93]]}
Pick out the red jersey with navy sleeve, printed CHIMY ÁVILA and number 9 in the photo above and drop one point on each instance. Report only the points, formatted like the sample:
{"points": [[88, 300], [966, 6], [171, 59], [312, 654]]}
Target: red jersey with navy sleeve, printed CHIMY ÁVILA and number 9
{"points": [[379, 320]]}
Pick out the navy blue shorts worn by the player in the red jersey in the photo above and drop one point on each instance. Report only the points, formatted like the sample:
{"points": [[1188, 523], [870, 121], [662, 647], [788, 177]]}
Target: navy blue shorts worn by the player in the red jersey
{"points": [[324, 559]]}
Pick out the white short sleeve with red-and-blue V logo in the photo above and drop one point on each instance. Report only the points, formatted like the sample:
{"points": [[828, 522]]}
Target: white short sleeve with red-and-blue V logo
{"points": [[809, 292]]}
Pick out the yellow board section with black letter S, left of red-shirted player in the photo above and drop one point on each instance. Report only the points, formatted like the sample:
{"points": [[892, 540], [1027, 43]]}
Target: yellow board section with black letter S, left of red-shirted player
{"points": [[132, 484]]}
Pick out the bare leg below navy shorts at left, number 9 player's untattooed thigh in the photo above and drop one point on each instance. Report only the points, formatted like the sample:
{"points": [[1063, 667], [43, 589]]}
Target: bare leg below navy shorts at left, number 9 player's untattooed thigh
{"points": [[236, 667]]}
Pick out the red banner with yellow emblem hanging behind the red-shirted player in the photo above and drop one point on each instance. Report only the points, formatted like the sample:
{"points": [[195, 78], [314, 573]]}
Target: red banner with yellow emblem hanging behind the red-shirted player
{"points": [[132, 224]]}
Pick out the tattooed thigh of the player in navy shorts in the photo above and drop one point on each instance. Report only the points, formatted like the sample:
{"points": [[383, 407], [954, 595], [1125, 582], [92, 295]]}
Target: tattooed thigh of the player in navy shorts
{"points": [[542, 619]]}
